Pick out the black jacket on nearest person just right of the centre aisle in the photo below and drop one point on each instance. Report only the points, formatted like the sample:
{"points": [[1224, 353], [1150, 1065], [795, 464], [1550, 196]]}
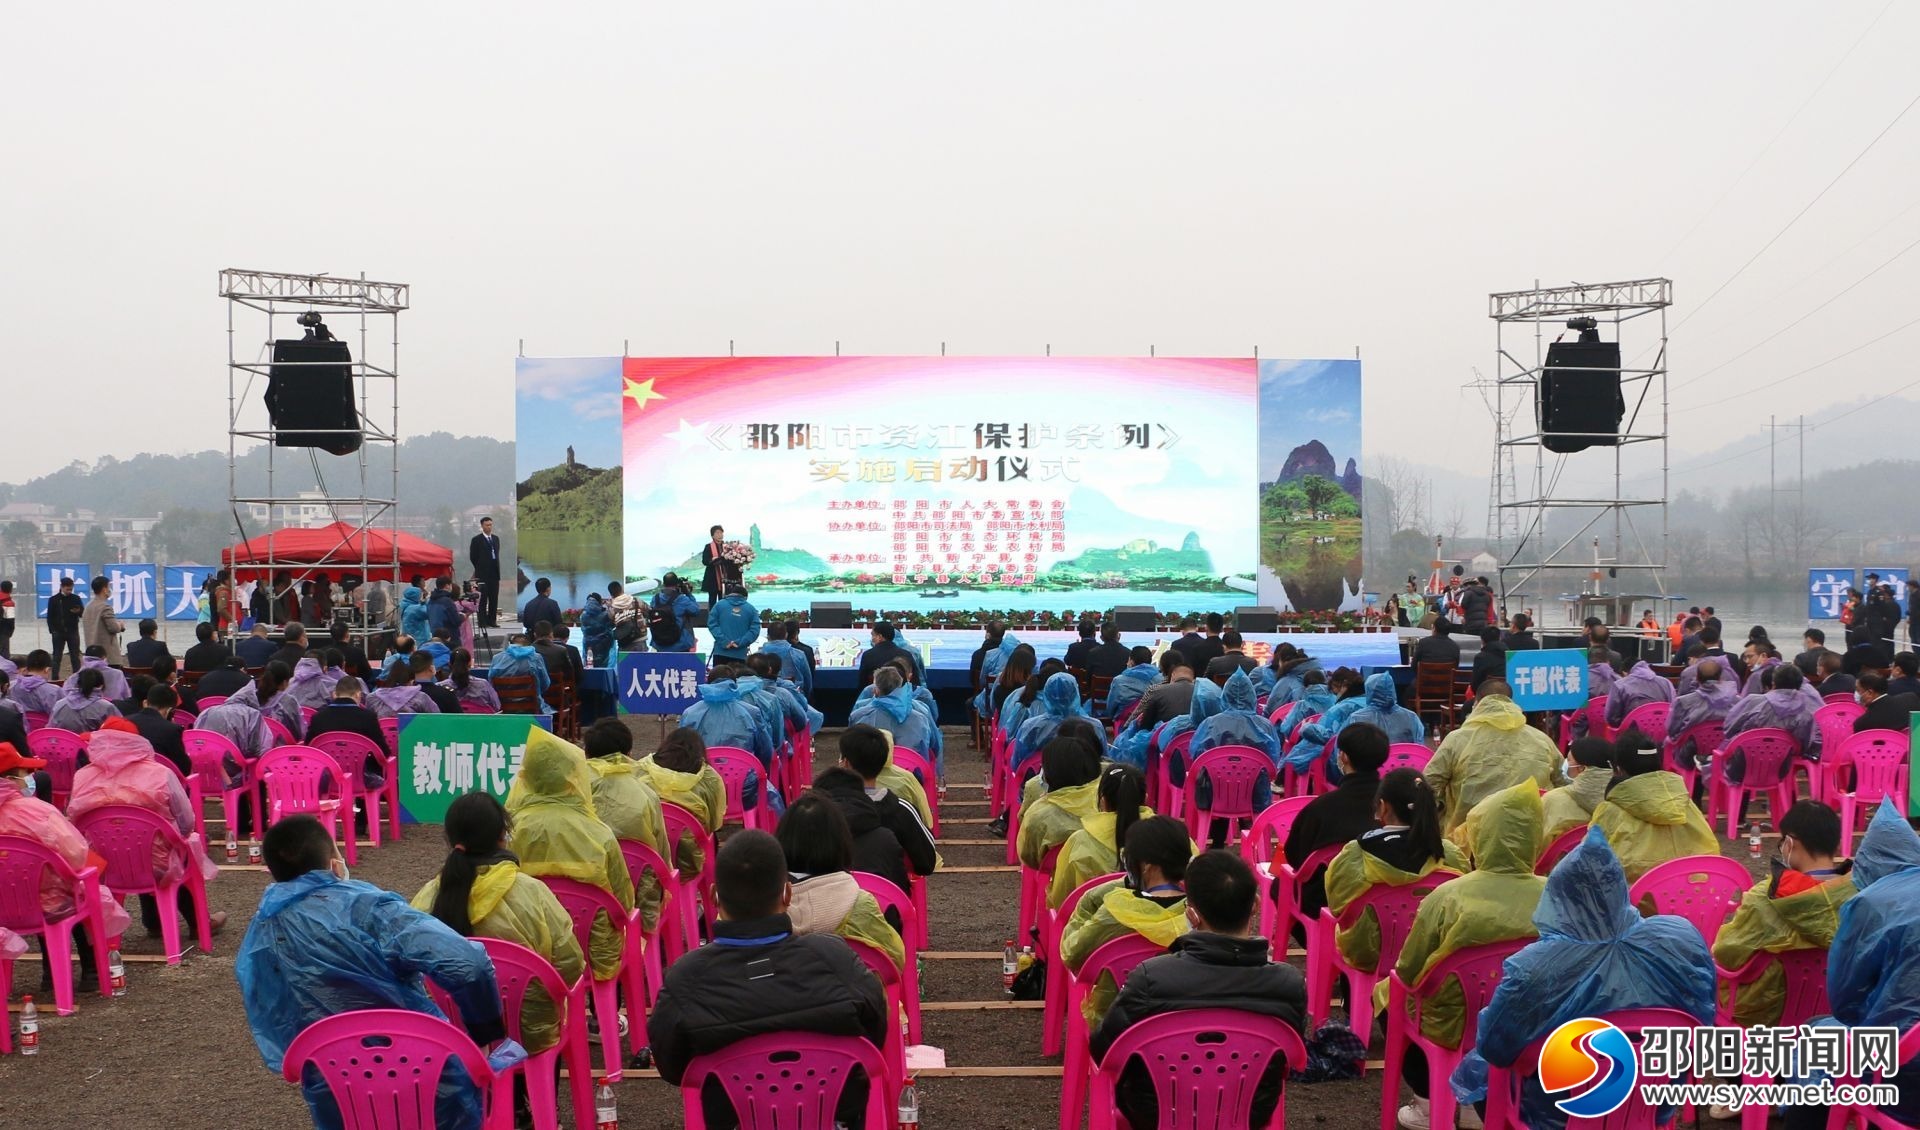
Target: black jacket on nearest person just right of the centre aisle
{"points": [[1205, 972]]}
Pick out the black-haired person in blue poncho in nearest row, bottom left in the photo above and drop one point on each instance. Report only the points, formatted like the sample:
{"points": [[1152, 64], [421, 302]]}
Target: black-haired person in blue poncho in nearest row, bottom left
{"points": [[324, 945]]}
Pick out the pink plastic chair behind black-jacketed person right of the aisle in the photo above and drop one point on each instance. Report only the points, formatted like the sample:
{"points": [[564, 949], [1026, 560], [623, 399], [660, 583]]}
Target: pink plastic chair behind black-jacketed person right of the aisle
{"points": [[1205, 1066]]}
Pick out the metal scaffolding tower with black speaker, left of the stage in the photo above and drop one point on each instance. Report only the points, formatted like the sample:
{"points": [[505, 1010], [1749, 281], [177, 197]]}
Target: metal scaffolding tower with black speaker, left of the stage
{"points": [[358, 490]]}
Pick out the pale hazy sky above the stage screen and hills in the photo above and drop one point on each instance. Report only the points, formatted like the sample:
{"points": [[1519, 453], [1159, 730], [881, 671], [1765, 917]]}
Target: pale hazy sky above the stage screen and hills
{"points": [[999, 177]]}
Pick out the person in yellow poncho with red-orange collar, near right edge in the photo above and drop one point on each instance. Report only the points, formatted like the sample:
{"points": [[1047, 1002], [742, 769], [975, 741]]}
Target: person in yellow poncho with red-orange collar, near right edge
{"points": [[1796, 910]]}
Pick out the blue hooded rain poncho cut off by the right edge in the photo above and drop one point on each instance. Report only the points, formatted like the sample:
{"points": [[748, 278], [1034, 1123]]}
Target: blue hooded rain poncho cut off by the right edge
{"points": [[1873, 968]]}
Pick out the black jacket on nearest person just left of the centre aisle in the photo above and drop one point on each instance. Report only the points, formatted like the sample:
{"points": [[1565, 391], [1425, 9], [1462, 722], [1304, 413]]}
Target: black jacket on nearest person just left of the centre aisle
{"points": [[759, 977]]}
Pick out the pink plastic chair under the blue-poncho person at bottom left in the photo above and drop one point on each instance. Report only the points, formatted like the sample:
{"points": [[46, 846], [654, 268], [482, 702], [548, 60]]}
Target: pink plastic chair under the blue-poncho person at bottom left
{"points": [[352, 1052]]}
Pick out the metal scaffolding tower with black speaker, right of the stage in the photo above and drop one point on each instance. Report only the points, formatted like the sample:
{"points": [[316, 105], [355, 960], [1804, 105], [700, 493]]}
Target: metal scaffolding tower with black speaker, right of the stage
{"points": [[1573, 513]]}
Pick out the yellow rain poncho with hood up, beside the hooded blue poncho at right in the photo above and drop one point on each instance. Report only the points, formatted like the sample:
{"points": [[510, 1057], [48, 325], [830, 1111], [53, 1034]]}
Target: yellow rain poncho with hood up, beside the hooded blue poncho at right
{"points": [[1495, 903]]}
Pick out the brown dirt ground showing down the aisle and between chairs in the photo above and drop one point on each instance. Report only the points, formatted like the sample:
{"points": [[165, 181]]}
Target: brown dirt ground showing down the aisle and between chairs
{"points": [[176, 1052]]}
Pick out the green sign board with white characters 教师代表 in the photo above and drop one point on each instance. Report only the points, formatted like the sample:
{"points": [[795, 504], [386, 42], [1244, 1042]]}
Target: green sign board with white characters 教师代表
{"points": [[444, 757]]}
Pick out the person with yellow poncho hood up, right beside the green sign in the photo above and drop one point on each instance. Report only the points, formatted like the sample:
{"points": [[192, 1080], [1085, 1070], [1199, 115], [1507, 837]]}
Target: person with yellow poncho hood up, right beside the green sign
{"points": [[560, 836]]}
